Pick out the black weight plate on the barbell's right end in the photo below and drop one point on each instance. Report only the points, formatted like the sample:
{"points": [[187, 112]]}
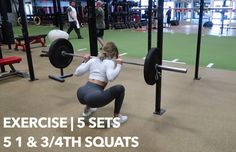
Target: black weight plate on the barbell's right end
{"points": [[149, 71]]}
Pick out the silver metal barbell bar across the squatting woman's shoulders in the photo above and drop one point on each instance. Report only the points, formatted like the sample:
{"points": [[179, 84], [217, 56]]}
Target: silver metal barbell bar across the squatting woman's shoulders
{"points": [[162, 67]]}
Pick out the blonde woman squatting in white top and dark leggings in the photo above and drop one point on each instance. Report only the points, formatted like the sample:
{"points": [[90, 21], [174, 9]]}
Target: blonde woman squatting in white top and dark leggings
{"points": [[102, 69]]}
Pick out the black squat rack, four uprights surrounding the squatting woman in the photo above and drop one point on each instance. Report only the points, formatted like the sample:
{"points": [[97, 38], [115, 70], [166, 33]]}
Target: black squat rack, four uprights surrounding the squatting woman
{"points": [[94, 51]]}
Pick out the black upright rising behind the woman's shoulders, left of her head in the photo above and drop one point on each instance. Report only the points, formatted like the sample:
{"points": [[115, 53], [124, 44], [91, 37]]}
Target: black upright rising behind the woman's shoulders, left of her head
{"points": [[92, 28]]}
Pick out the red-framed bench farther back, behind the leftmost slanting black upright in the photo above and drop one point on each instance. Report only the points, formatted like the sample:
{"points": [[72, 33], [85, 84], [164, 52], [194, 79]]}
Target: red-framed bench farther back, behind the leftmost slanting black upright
{"points": [[33, 39]]}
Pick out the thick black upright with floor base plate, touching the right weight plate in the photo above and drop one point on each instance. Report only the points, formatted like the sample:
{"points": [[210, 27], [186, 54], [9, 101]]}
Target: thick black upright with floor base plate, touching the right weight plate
{"points": [[158, 109]]}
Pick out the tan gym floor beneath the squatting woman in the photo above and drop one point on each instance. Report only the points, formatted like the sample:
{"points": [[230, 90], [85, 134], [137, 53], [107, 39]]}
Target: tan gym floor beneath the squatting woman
{"points": [[200, 116]]}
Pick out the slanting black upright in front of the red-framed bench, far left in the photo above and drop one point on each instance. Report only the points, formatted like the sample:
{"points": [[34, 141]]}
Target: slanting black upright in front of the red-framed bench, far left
{"points": [[26, 39]]}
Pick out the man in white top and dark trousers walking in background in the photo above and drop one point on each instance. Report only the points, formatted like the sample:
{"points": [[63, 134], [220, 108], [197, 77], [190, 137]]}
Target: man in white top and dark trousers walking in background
{"points": [[73, 21]]}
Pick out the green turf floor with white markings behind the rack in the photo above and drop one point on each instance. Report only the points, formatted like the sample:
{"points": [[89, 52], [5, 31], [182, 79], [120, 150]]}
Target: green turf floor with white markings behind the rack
{"points": [[221, 51]]}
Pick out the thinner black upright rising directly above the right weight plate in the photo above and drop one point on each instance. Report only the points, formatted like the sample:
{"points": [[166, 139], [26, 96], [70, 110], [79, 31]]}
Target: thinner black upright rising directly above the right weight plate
{"points": [[149, 24]]}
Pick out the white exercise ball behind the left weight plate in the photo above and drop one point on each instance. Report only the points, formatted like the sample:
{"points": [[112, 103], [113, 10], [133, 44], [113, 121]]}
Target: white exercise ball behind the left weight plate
{"points": [[56, 34]]}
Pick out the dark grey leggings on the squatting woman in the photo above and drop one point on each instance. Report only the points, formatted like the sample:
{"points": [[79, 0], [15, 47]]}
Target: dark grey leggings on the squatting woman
{"points": [[94, 96]]}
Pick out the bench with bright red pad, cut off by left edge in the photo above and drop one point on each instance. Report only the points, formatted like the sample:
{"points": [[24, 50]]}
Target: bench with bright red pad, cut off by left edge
{"points": [[10, 61]]}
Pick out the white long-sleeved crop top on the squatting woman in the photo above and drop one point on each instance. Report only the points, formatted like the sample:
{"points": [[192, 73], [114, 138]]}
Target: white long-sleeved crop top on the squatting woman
{"points": [[106, 70]]}
